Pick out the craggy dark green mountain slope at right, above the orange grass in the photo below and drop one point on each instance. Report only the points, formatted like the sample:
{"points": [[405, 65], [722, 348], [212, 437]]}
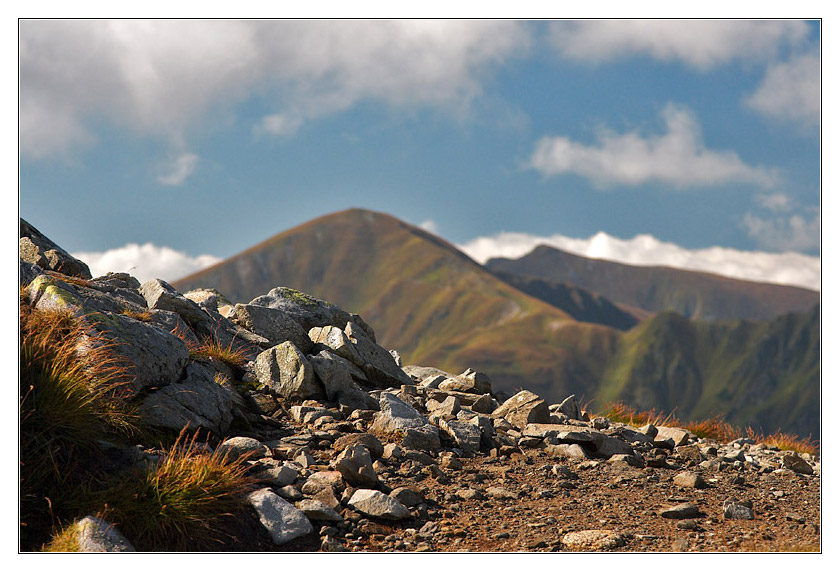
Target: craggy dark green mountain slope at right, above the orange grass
{"points": [[762, 374]]}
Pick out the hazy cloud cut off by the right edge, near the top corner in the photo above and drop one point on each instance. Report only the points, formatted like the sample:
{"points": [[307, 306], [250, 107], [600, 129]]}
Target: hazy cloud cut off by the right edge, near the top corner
{"points": [[790, 90]]}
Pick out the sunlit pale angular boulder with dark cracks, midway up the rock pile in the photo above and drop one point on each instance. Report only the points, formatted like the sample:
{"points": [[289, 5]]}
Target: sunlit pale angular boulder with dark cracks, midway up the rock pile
{"points": [[287, 372]]}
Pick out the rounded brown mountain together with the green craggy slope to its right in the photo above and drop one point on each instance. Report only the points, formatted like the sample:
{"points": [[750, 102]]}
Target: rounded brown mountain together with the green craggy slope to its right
{"points": [[438, 307]]}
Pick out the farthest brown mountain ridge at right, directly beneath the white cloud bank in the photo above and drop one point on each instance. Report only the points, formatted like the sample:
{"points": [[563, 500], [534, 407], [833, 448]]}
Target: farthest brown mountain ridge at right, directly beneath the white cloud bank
{"points": [[696, 295]]}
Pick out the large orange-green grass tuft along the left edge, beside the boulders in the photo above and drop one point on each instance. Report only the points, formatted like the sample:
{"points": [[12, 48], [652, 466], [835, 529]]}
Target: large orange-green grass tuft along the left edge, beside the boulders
{"points": [[72, 395]]}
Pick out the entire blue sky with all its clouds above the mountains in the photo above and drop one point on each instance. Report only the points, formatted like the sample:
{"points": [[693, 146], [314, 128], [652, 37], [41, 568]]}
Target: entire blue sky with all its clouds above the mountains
{"points": [[164, 146]]}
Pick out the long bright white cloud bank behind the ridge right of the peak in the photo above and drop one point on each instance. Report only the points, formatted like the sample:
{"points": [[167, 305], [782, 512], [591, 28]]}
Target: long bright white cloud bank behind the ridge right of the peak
{"points": [[644, 250]]}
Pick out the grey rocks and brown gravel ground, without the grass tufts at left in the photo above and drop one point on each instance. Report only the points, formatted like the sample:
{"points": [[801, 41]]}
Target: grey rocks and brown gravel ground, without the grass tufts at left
{"points": [[352, 451]]}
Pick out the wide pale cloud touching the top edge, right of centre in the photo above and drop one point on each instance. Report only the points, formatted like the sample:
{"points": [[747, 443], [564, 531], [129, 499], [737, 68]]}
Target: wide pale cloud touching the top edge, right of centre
{"points": [[700, 44]]}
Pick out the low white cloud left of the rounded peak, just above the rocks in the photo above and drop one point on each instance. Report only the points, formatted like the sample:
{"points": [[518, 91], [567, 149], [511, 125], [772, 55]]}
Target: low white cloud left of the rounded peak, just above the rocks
{"points": [[146, 261]]}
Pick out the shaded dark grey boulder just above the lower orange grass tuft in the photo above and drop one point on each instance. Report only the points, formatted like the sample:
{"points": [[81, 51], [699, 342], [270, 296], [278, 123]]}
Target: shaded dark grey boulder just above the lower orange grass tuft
{"points": [[197, 401]]}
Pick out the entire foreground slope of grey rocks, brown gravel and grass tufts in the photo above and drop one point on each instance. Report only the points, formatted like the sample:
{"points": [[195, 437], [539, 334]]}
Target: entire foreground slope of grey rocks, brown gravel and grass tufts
{"points": [[282, 424]]}
